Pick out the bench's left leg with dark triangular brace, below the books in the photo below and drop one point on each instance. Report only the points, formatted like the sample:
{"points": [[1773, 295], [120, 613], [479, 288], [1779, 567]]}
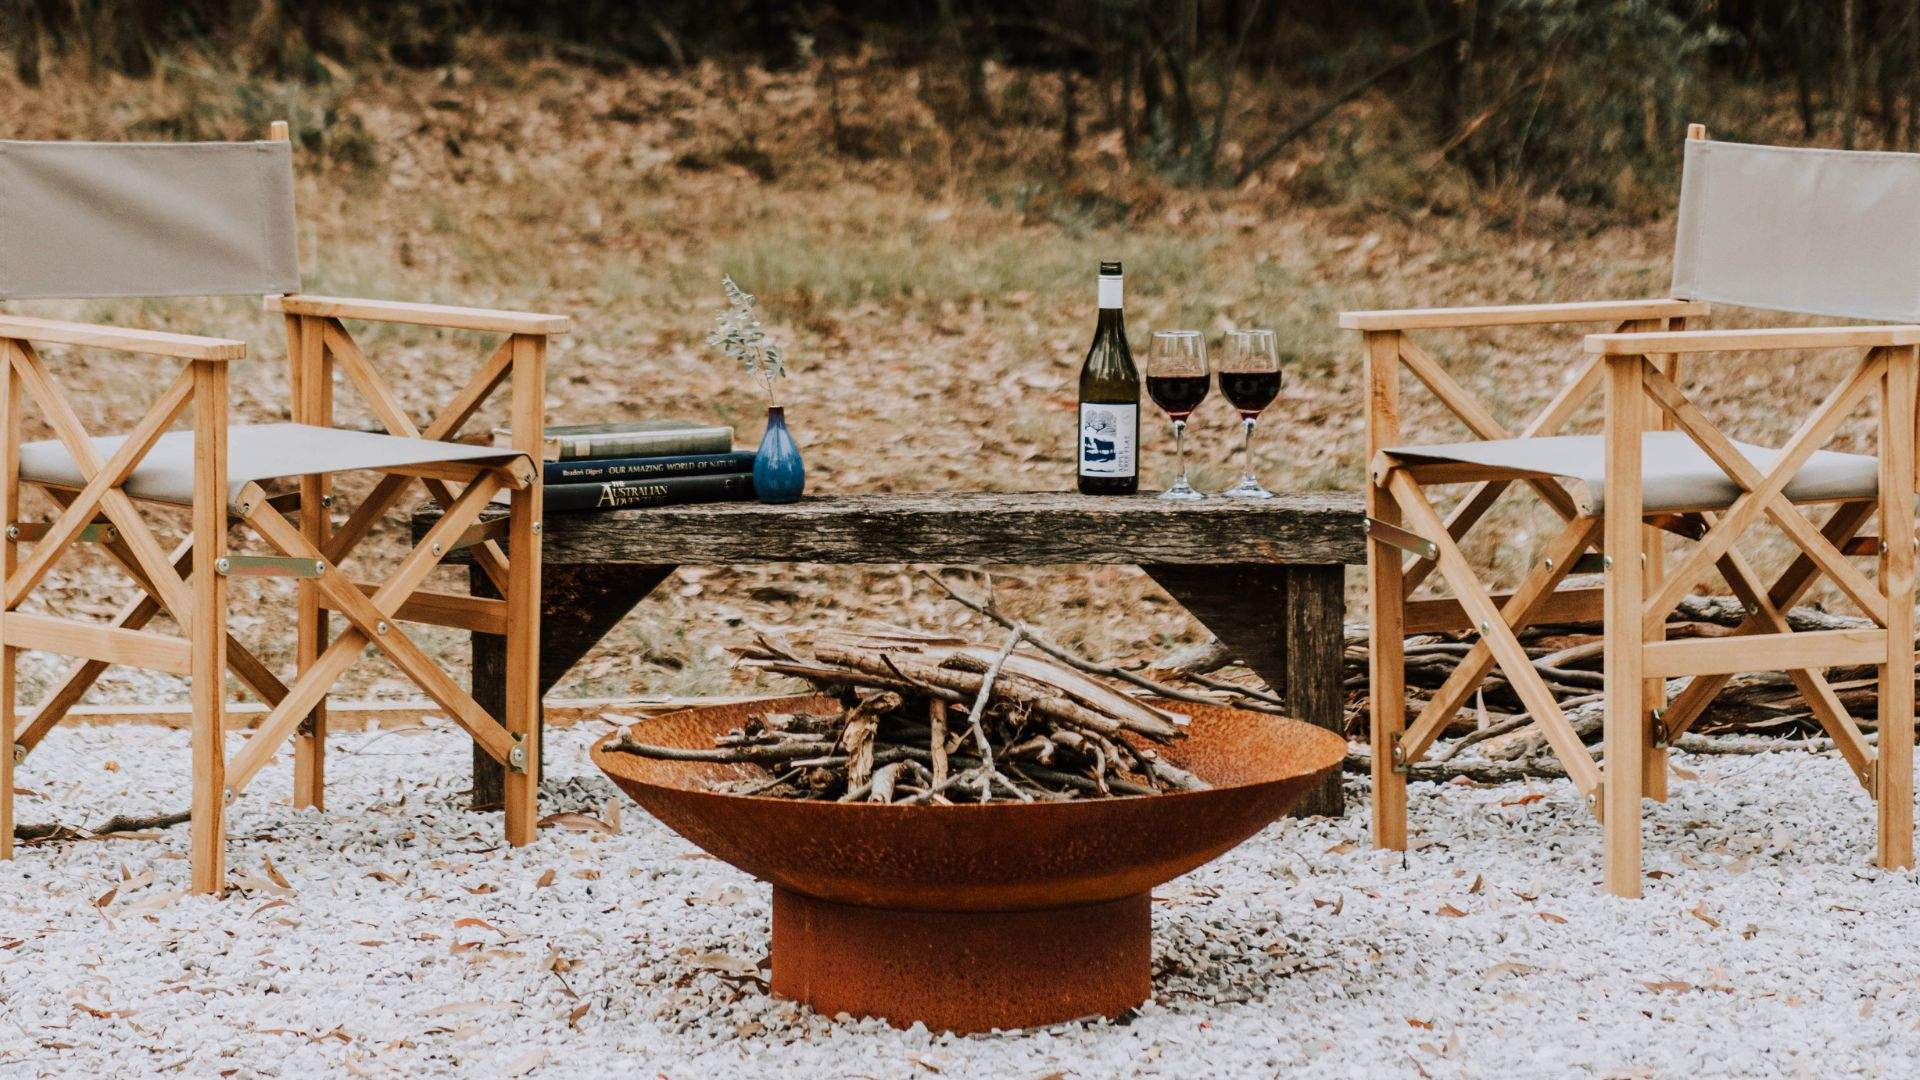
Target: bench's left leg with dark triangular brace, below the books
{"points": [[579, 606]]}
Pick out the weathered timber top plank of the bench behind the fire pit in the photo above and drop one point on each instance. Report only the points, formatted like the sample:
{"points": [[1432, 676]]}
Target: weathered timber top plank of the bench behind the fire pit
{"points": [[965, 528]]}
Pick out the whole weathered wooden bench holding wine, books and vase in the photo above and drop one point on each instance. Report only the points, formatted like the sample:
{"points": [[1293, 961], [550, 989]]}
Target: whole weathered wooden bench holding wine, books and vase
{"points": [[1264, 577]]}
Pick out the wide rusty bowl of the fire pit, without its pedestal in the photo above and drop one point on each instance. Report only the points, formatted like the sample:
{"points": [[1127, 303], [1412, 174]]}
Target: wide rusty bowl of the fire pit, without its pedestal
{"points": [[980, 858]]}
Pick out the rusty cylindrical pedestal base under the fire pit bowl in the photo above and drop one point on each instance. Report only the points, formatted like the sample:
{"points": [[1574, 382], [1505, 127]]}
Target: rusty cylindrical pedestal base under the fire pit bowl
{"points": [[965, 971]]}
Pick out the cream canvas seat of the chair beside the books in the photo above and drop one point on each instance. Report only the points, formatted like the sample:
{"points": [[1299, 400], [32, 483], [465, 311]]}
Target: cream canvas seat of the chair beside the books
{"points": [[254, 454]]}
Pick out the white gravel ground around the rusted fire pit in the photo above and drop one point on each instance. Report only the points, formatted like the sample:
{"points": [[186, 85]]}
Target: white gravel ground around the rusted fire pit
{"points": [[408, 941]]}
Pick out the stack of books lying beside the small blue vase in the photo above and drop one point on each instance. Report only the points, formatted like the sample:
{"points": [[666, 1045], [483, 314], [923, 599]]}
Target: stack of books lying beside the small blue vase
{"points": [[617, 466]]}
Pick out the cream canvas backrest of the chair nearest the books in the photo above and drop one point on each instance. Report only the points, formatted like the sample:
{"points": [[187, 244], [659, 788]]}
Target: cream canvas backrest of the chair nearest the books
{"points": [[97, 220]]}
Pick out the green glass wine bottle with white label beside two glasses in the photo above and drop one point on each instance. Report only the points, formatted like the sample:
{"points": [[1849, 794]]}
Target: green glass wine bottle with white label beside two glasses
{"points": [[1111, 401]]}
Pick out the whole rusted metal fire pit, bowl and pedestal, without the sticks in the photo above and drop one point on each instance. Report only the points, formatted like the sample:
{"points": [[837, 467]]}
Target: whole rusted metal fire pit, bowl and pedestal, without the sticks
{"points": [[974, 918]]}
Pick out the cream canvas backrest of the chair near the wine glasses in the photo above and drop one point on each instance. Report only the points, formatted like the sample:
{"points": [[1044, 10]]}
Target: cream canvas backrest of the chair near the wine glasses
{"points": [[1794, 230]]}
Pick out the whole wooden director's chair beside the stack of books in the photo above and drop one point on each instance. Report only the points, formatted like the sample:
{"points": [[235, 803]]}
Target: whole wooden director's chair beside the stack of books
{"points": [[218, 218]]}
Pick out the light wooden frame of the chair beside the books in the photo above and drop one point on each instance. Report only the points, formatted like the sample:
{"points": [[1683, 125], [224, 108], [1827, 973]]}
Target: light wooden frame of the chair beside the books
{"points": [[310, 547]]}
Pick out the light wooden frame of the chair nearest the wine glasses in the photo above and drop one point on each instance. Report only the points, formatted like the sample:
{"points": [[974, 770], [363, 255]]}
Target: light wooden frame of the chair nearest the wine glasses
{"points": [[1637, 372]]}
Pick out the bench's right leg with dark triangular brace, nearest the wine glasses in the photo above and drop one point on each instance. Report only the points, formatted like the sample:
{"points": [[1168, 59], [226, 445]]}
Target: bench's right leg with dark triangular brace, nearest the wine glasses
{"points": [[1285, 624]]}
